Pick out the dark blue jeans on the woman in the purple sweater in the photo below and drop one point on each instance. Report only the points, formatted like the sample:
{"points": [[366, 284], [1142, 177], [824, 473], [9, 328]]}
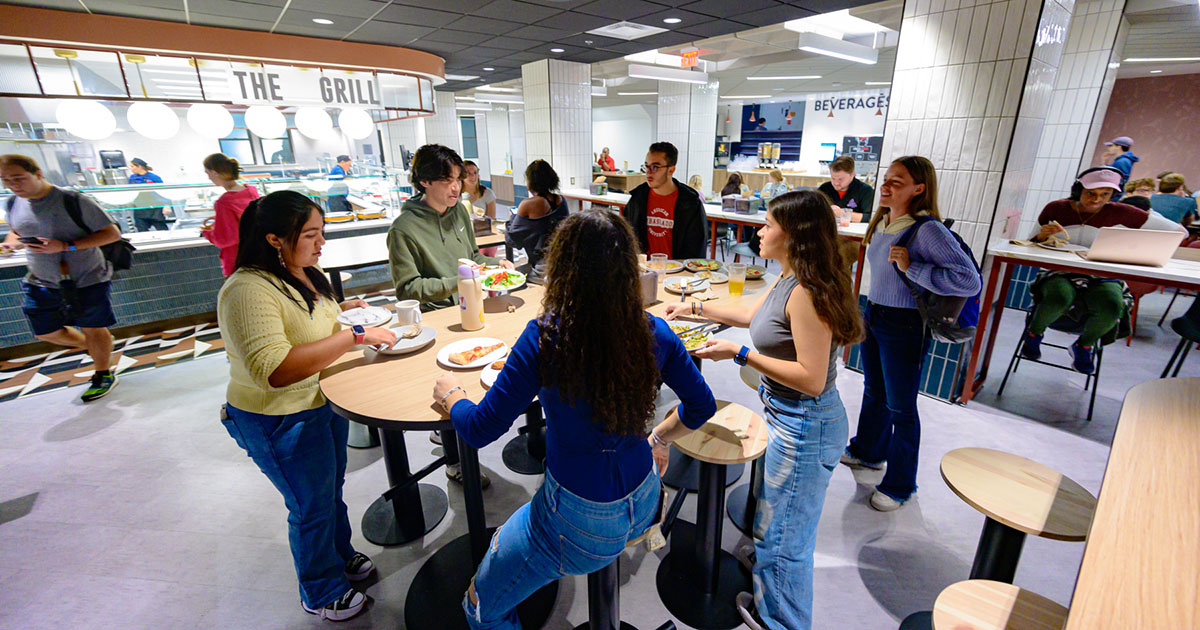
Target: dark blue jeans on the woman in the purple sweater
{"points": [[889, 425]]}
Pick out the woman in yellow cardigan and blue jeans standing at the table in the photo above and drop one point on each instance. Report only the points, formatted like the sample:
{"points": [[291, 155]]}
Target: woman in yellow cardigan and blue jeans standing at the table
{"points": [[279, 320]]}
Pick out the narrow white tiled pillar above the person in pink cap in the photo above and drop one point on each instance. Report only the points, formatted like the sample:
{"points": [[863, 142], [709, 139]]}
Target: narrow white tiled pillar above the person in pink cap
{"points": [[1076, 110]]}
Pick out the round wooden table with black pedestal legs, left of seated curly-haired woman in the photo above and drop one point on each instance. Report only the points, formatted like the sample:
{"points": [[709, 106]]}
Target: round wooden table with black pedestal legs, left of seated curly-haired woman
{"points": [[397, 394]]}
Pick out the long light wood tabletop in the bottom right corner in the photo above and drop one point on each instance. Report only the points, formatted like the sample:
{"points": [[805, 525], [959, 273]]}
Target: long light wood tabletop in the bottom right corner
{"points": [[1142, 566]]}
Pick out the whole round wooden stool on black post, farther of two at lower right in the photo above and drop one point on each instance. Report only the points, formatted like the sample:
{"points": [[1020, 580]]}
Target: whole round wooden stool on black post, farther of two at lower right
{"points": [[1018, 497]]}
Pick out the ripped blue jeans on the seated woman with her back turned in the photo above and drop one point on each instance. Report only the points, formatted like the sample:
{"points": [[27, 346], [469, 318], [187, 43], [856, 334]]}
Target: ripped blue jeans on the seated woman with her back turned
{"points": [[554, 536]]}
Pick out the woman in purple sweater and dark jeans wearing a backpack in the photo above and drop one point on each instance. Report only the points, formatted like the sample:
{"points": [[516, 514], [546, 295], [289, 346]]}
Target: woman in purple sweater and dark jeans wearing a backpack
{"points": [[895, 350]]}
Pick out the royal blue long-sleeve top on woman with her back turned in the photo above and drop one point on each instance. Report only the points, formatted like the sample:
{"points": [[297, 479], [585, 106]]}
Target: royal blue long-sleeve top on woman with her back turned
{"points": [[586, 460]]}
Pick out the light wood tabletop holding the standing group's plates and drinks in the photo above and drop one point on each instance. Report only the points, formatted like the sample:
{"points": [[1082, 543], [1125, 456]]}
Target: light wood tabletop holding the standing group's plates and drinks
{"points": [[398, 392]]}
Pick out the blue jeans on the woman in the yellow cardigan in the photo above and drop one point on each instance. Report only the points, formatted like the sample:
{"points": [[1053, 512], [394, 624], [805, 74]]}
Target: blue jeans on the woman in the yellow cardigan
{"points": [[304, 455]]}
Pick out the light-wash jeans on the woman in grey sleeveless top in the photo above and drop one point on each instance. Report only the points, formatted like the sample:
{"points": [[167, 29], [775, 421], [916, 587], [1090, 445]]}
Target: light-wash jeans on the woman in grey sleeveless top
{"points": [[807, 439]]}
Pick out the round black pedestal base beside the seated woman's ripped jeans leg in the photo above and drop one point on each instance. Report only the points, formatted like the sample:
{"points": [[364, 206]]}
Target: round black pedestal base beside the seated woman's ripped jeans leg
{"points": [[435, 598]]}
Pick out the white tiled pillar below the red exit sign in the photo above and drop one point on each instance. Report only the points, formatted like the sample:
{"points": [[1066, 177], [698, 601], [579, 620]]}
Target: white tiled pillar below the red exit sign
{"points": [[688, 121]]}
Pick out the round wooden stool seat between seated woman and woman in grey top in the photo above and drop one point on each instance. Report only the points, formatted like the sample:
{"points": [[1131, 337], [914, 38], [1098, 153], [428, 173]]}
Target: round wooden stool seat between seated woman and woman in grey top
{"points": [[735, 435]]}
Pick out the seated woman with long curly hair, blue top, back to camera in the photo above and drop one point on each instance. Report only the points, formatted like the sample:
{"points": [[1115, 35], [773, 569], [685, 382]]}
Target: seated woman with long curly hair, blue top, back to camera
{"points": [[593, 358]]}
